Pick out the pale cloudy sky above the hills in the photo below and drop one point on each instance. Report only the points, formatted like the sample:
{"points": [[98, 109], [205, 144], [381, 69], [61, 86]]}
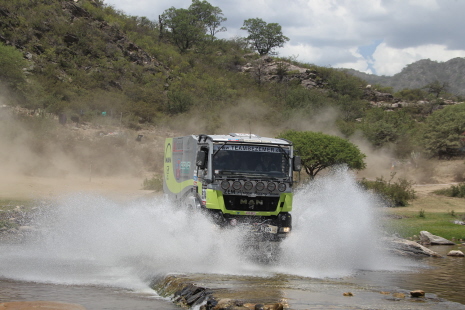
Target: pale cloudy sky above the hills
{"points": [[374, 36]]}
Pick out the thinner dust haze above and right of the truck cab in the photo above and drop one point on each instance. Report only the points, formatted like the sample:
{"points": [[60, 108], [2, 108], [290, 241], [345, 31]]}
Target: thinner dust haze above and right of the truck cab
{"points": [[253, 116]]}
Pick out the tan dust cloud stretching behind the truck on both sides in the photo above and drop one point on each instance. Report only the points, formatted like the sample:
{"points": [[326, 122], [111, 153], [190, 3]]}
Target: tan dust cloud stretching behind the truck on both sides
{"points": [[39, 156]]}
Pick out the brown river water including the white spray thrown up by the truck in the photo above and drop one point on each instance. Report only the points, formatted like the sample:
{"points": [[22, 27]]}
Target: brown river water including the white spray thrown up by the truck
{"points": [[103, 254]]}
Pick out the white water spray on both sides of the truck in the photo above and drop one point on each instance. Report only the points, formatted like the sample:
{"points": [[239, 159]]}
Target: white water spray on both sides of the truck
{"points": [[87, 239]]}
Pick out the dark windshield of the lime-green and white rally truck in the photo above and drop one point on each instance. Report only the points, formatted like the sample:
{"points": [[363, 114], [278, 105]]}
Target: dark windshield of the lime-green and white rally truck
{"points": [[250, 159]]}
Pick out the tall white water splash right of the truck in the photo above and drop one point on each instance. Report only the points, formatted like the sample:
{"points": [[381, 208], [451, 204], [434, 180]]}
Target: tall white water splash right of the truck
{"points": [[336, 229]]}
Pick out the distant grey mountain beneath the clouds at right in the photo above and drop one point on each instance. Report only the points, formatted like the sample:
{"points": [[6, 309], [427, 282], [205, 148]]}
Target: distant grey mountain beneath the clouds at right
{"points": [[421, 73]]}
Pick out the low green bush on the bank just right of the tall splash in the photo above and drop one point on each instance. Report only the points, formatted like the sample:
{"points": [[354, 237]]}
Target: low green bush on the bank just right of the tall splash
{"points": [[396, 194]]}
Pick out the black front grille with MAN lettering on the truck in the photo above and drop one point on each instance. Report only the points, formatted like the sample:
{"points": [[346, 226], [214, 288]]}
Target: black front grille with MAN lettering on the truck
{"points": [[253, 204]]}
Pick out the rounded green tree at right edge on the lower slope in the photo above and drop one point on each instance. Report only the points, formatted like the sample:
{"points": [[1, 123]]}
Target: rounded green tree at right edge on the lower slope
{"points": [[444, 130]]}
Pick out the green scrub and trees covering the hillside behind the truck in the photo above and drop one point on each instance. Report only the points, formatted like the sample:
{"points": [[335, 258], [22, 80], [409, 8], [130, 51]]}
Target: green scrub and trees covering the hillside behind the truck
{"points": [[84, 58]]}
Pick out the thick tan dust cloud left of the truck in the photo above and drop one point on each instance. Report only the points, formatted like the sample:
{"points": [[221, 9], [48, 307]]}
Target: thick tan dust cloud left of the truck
{"points": [[39, 157]]}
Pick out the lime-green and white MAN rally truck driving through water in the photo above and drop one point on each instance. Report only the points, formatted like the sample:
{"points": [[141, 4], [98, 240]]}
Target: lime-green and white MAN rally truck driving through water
{"points": [[238, 179]]}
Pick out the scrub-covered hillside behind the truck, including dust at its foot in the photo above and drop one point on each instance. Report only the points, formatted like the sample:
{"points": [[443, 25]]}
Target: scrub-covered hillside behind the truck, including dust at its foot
{"points": [[87, 80]]}
